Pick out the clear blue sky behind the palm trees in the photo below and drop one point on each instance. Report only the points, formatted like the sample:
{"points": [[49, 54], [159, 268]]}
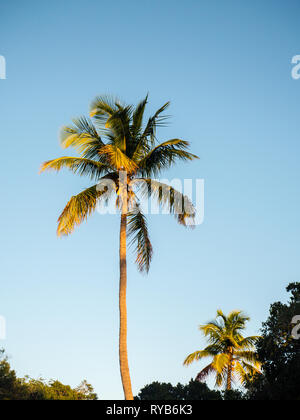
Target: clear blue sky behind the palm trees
{"points": [[226, 67]]}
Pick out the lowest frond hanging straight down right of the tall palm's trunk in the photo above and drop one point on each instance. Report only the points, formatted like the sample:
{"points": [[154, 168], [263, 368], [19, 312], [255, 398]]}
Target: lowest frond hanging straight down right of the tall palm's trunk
{"points": [[138, 232]]}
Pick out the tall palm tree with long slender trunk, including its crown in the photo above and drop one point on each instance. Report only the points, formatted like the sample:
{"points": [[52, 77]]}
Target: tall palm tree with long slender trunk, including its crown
{"points": [[116, 148]]}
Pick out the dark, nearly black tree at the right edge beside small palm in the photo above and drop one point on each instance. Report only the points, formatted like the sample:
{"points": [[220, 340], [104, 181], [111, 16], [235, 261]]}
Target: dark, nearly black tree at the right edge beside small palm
{"points": [[279, 353]]}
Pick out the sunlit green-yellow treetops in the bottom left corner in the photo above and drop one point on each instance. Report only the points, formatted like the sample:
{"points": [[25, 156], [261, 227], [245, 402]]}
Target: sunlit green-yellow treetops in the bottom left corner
{"points": [[13, 388]]}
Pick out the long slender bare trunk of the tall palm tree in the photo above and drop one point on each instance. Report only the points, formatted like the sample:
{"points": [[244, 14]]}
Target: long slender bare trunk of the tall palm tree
{"points": [[124, 367]]}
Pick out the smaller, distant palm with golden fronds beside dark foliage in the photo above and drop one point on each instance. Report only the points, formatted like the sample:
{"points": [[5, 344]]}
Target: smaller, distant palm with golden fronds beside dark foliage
{"points": [[234, 356]]}
